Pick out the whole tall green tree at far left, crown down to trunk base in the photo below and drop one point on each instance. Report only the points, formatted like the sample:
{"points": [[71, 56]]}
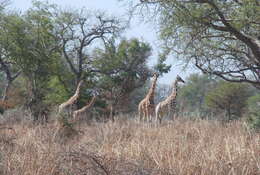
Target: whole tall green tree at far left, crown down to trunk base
{"points": [[33, 50]]}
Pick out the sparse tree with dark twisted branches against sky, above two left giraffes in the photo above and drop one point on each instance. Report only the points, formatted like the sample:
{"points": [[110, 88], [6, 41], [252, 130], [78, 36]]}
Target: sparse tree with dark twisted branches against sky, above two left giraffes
{"points": [[77, 32]]}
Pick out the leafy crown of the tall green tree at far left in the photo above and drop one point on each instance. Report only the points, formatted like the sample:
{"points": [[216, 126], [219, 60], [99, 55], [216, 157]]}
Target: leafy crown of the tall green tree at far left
{"points": [[31, 43]]}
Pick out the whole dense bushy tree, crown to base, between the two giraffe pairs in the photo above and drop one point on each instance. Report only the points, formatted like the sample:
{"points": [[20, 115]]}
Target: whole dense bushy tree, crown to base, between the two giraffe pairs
{"points": [[122, 69]]}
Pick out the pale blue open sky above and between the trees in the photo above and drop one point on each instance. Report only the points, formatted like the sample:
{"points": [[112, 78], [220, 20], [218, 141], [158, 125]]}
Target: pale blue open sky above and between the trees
{"points": [[138, 29]]}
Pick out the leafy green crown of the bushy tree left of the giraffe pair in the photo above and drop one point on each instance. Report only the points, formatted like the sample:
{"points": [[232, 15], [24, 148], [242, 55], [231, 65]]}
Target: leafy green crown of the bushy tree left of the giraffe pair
{"points": [[128, 58]]}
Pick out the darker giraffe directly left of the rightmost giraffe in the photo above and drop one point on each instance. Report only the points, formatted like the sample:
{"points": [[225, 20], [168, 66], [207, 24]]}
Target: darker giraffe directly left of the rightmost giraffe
{"points": [[146, 107]]}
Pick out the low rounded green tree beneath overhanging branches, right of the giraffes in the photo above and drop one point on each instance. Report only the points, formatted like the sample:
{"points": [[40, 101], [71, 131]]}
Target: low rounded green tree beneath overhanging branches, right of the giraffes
{"points": [[228, 99]]}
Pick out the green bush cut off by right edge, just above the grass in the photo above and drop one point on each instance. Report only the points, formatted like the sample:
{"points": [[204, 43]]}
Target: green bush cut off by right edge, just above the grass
{"points": [[254, 112]]}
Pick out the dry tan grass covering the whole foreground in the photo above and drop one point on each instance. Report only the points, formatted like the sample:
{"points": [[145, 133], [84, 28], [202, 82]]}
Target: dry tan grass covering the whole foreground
{"points": [[126, 147]]}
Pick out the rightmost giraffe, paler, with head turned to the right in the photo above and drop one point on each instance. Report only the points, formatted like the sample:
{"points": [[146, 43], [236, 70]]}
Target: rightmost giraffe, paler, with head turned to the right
{"points": [[168, 106]]}
